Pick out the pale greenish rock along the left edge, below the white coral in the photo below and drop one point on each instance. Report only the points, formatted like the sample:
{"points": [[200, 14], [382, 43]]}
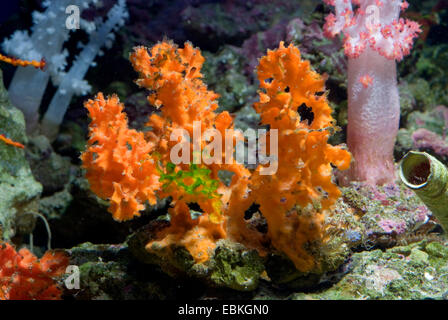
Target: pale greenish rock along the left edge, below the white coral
{"points": [[19, 191]]}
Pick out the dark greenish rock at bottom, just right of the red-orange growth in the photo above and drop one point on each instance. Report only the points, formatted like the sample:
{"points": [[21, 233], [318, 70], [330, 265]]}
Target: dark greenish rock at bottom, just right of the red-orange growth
{"points": [[109, 272]]}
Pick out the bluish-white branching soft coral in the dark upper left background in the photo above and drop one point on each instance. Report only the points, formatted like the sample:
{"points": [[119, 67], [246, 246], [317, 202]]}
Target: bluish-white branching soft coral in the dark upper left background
{"points": [[49, 33]]}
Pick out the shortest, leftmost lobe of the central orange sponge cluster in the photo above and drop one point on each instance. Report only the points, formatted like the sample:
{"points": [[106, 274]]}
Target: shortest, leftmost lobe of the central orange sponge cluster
{"points": [[117, 160]]}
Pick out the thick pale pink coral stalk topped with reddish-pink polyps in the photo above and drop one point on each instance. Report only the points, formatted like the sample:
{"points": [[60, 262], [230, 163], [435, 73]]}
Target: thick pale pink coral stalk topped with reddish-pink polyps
{"points": [[374, 38]]}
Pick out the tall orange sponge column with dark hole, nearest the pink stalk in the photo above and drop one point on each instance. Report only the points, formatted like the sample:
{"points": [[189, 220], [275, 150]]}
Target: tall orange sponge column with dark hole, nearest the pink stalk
{"points": [[289, 90]]}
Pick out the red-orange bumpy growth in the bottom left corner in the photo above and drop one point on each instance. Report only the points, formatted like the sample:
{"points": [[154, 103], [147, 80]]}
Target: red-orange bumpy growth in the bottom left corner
{"points": [[24, 277]]}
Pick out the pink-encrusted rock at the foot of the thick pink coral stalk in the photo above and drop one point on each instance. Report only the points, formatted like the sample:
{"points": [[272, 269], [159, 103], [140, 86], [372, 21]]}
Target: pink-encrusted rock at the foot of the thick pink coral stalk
{"points": [[384, 215]]}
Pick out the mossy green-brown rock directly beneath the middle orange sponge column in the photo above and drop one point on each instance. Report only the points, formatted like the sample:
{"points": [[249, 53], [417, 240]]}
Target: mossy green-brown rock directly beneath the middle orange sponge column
{"points": [[231, 265]]}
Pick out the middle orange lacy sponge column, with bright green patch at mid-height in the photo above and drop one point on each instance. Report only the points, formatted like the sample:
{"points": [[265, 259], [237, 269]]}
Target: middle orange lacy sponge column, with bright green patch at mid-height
{"points": [[173, 76]]}
